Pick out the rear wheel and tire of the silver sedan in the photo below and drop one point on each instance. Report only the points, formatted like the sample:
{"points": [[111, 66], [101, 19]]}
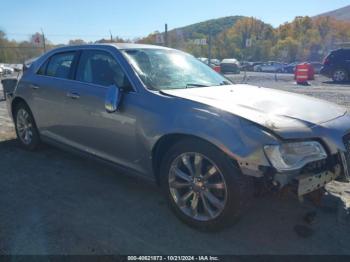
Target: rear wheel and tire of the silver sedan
{"points": [[26, 130]]}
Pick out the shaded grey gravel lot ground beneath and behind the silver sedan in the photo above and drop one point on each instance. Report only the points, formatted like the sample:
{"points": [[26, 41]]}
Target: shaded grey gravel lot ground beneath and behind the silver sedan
{"points": [[53, 202]]}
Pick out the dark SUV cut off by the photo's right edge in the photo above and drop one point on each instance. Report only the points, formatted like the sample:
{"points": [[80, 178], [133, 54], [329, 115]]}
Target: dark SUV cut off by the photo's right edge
{"points": [[337, 65]]}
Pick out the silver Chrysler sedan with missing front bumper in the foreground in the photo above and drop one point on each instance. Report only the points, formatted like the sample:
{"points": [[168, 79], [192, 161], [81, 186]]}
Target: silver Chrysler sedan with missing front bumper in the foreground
{"points": [[162, 114]]}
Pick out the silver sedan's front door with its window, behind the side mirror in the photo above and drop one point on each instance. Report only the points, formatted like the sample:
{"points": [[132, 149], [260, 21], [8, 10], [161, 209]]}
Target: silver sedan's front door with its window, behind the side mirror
{"points": [[91, 128]]}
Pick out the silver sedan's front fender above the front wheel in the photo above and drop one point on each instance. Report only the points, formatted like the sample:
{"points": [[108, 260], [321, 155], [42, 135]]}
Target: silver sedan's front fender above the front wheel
{"points": [[240, 139]]}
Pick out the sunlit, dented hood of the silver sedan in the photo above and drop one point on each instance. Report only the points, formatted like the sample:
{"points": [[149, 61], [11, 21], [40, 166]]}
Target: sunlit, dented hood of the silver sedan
{"points": [[271, 108]]}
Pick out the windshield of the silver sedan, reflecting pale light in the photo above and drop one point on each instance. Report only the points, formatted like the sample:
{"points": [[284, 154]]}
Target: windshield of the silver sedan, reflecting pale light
{"points": [[170, 69]]}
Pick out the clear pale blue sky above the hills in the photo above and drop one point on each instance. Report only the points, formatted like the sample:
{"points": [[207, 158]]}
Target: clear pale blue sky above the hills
{"points": [[92, 20]]}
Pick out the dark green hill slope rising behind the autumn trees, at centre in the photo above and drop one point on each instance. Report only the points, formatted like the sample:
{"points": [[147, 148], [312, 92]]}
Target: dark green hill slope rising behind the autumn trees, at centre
{"points": [[215, 26]]}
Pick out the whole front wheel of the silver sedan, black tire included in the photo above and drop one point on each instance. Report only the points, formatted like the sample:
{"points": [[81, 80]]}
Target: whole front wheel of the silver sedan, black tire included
{"points": [[205, 189]]}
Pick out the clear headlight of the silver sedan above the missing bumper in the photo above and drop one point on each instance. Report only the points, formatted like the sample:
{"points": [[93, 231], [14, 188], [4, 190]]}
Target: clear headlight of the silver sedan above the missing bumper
{"points": [[292, 156]]}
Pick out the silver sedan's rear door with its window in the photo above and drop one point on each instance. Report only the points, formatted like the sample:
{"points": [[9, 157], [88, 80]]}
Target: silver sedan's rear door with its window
{"points": [[49, 89]]}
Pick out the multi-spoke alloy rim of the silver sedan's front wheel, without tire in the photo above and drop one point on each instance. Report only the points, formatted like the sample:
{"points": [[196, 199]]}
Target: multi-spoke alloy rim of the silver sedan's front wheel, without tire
{"points": [[197, 186]]}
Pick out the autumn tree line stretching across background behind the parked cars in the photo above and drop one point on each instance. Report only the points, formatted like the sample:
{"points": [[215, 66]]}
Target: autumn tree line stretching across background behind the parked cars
{"points": [[249, 39]]}
